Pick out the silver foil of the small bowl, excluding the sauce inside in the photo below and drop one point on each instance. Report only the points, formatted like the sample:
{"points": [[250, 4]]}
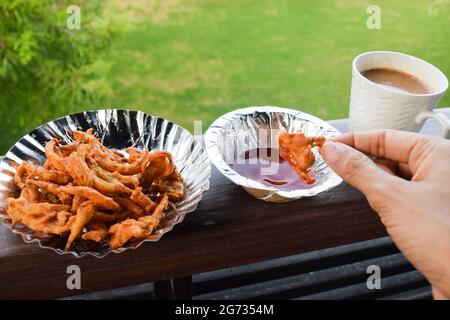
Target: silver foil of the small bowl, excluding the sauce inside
{"points": [[256, 127]]}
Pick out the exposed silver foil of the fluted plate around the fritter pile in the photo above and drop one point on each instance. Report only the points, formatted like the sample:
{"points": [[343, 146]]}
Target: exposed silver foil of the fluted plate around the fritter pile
{"points": [[117, 129]]}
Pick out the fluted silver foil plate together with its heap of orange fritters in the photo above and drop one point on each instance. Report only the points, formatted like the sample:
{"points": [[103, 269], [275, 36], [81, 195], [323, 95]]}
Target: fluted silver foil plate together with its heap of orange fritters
{"points": [[101, 181]]}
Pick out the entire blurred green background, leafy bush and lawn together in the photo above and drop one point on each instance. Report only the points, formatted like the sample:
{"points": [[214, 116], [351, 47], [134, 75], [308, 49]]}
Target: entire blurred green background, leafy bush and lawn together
{"points": [[189, 60]]}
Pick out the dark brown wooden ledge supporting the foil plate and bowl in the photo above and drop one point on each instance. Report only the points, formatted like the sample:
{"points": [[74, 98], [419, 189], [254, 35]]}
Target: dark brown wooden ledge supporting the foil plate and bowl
{"points": [[229, 228]]}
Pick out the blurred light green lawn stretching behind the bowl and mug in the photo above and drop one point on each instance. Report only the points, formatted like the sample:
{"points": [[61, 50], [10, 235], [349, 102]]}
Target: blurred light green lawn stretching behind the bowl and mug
{"points": [[195, 60]]}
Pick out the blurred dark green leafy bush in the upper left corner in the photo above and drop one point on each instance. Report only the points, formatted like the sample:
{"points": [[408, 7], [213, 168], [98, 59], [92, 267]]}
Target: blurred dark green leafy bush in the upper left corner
{"points": [[47, 70]]}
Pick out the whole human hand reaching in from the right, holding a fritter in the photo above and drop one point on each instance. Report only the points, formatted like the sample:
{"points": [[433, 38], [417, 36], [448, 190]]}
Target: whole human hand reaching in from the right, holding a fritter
{"points": [[408, 185]]}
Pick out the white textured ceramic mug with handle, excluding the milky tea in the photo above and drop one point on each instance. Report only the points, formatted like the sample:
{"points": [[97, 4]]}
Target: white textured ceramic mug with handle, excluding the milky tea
{"points": [[374, 106]]}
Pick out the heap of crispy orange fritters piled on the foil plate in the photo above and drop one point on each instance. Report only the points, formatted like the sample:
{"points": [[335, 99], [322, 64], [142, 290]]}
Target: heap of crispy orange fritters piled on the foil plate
{"points": [[85, 190]]}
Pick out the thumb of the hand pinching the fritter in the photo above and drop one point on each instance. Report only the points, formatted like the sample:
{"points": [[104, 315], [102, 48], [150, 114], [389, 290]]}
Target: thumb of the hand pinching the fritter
{"points": [[356, 168]]}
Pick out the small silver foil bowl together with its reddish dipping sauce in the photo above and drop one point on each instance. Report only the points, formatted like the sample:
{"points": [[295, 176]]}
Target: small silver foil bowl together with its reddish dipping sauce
{"points": [[242, 145]]}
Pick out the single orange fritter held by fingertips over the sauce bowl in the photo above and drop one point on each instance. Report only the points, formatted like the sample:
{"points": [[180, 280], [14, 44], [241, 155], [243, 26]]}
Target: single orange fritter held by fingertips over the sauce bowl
{"points": [[296, 149]]}
